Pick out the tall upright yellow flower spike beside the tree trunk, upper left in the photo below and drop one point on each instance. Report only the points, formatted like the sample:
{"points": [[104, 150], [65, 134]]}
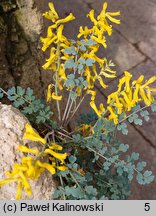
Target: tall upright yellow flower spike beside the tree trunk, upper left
{"points": [[59, 42]]}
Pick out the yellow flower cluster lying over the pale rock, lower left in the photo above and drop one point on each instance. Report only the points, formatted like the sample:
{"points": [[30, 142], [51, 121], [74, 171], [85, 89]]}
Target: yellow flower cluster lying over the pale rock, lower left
{"points": [[30, 168]]}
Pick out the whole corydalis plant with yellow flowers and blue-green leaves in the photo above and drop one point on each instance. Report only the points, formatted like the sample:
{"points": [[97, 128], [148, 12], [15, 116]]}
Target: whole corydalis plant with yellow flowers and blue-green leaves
{"points": [[90, 165]]}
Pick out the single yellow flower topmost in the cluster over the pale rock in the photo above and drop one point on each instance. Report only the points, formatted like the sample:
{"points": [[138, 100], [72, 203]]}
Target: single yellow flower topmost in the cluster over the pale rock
{"points": [[32, 135]]}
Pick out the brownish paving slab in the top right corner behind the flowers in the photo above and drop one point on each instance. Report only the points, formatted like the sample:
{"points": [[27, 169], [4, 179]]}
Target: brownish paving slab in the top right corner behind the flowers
{"points": [[138, 18]]}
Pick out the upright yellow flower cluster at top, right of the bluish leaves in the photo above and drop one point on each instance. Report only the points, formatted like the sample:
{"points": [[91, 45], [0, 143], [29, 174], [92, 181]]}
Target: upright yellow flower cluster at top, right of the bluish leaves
{"points": [[97, 34]]}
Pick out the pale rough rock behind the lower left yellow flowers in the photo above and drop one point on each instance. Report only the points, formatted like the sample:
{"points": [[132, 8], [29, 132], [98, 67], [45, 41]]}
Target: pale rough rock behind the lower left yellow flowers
{"points": [[12, 124]]}
